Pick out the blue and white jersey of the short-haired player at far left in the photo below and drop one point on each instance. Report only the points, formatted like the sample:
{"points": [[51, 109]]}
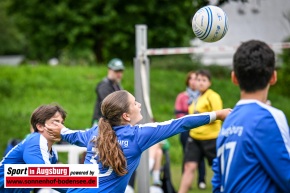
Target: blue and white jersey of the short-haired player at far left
{"points": [[32, 150]]}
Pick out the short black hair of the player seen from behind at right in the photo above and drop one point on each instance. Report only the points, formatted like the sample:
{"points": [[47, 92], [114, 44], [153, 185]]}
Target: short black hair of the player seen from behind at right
{"points": [[253, 64]]}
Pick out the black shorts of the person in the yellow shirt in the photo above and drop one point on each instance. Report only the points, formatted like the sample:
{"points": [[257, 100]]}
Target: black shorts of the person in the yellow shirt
{"points": [[197, 150]]}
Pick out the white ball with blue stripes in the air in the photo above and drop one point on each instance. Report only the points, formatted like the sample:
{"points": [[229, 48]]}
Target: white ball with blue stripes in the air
{"points": [[210, 23]]}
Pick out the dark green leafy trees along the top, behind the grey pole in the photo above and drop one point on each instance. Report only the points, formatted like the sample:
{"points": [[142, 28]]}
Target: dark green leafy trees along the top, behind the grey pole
{"points": [[105, 28]]}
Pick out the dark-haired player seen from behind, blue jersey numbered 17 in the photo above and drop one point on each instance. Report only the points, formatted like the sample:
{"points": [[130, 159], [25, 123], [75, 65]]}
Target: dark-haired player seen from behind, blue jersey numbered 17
{"points": [[253, 146]]}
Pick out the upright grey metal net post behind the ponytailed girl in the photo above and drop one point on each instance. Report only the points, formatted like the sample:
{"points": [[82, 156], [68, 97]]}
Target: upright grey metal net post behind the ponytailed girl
{"points": [[141, 85]]}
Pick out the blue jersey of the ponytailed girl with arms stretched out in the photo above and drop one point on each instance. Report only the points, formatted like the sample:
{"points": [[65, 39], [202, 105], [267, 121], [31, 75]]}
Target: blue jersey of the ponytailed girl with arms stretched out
{"points": [[133, 140]]}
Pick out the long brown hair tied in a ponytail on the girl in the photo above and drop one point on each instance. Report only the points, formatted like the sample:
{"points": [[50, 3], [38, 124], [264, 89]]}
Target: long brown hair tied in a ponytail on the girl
{"points": [[110, 152]]}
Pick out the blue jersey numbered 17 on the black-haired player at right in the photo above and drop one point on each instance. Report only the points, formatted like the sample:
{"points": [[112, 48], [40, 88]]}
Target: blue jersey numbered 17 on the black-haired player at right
{"points": [[253, 150]]}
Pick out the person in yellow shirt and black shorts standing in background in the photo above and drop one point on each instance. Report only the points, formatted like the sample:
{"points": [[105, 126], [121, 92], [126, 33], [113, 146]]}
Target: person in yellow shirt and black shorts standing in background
{"points": [[202, 141]]}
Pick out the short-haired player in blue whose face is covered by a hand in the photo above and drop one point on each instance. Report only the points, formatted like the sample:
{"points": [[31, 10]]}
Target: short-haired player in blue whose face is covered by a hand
{"points": [[36, 148]]}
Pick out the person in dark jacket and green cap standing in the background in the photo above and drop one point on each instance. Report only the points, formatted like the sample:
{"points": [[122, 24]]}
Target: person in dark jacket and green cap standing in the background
{"points": [[109, 84]]}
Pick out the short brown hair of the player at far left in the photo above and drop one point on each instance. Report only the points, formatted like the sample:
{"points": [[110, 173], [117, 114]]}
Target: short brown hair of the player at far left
{"points": [[45, 112]]}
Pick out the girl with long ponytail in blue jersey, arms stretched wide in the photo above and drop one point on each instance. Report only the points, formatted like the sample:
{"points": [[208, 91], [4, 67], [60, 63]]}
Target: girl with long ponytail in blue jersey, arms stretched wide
{"points": [[117, 143]]}
